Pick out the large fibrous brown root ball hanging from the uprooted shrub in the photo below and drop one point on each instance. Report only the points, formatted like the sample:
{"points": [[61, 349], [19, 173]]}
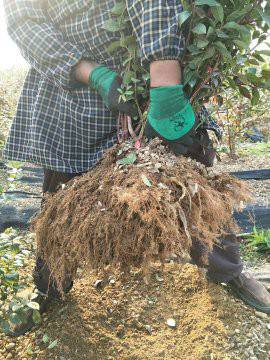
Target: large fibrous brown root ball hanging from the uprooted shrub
{"points": [[135, 207]]}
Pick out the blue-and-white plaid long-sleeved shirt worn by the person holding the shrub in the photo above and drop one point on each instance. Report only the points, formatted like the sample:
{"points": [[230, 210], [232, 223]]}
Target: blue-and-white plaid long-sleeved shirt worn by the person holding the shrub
{"points": [[61, 124]]}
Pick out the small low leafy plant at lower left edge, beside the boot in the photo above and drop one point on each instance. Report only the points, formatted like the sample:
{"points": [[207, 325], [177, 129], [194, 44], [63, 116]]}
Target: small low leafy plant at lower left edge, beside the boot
{"points": [[16, 296]]}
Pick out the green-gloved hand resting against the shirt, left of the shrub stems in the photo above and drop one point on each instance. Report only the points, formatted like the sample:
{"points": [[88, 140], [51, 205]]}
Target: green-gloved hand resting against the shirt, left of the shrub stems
{"points": [[106, 82]]}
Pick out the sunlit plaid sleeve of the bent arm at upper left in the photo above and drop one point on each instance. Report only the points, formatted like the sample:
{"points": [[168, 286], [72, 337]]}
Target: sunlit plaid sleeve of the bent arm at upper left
{"points": [[41, 44]]}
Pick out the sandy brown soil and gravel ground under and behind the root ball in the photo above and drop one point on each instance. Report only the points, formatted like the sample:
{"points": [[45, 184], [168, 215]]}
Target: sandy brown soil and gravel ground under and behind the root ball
{"points": [[115, 317]]}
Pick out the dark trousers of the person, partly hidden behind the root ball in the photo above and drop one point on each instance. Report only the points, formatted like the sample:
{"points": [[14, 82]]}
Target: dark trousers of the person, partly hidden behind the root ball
{"points": [[224, 259]]}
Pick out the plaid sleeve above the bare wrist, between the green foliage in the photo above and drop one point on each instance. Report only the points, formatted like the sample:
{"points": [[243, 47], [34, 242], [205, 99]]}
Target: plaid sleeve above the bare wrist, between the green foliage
{"points": [[155, 24]]}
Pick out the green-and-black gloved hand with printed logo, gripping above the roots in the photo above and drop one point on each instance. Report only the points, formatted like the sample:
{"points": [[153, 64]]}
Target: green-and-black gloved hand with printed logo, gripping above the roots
{"points": [[171, 118]]}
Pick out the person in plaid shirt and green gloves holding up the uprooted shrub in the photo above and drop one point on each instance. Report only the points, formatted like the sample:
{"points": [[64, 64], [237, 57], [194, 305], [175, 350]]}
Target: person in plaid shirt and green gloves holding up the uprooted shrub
{"points": [[66, 115]]}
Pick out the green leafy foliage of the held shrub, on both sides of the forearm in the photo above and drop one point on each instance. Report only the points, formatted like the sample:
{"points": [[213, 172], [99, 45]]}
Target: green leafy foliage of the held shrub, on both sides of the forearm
{"points": [[221, 49]]}
